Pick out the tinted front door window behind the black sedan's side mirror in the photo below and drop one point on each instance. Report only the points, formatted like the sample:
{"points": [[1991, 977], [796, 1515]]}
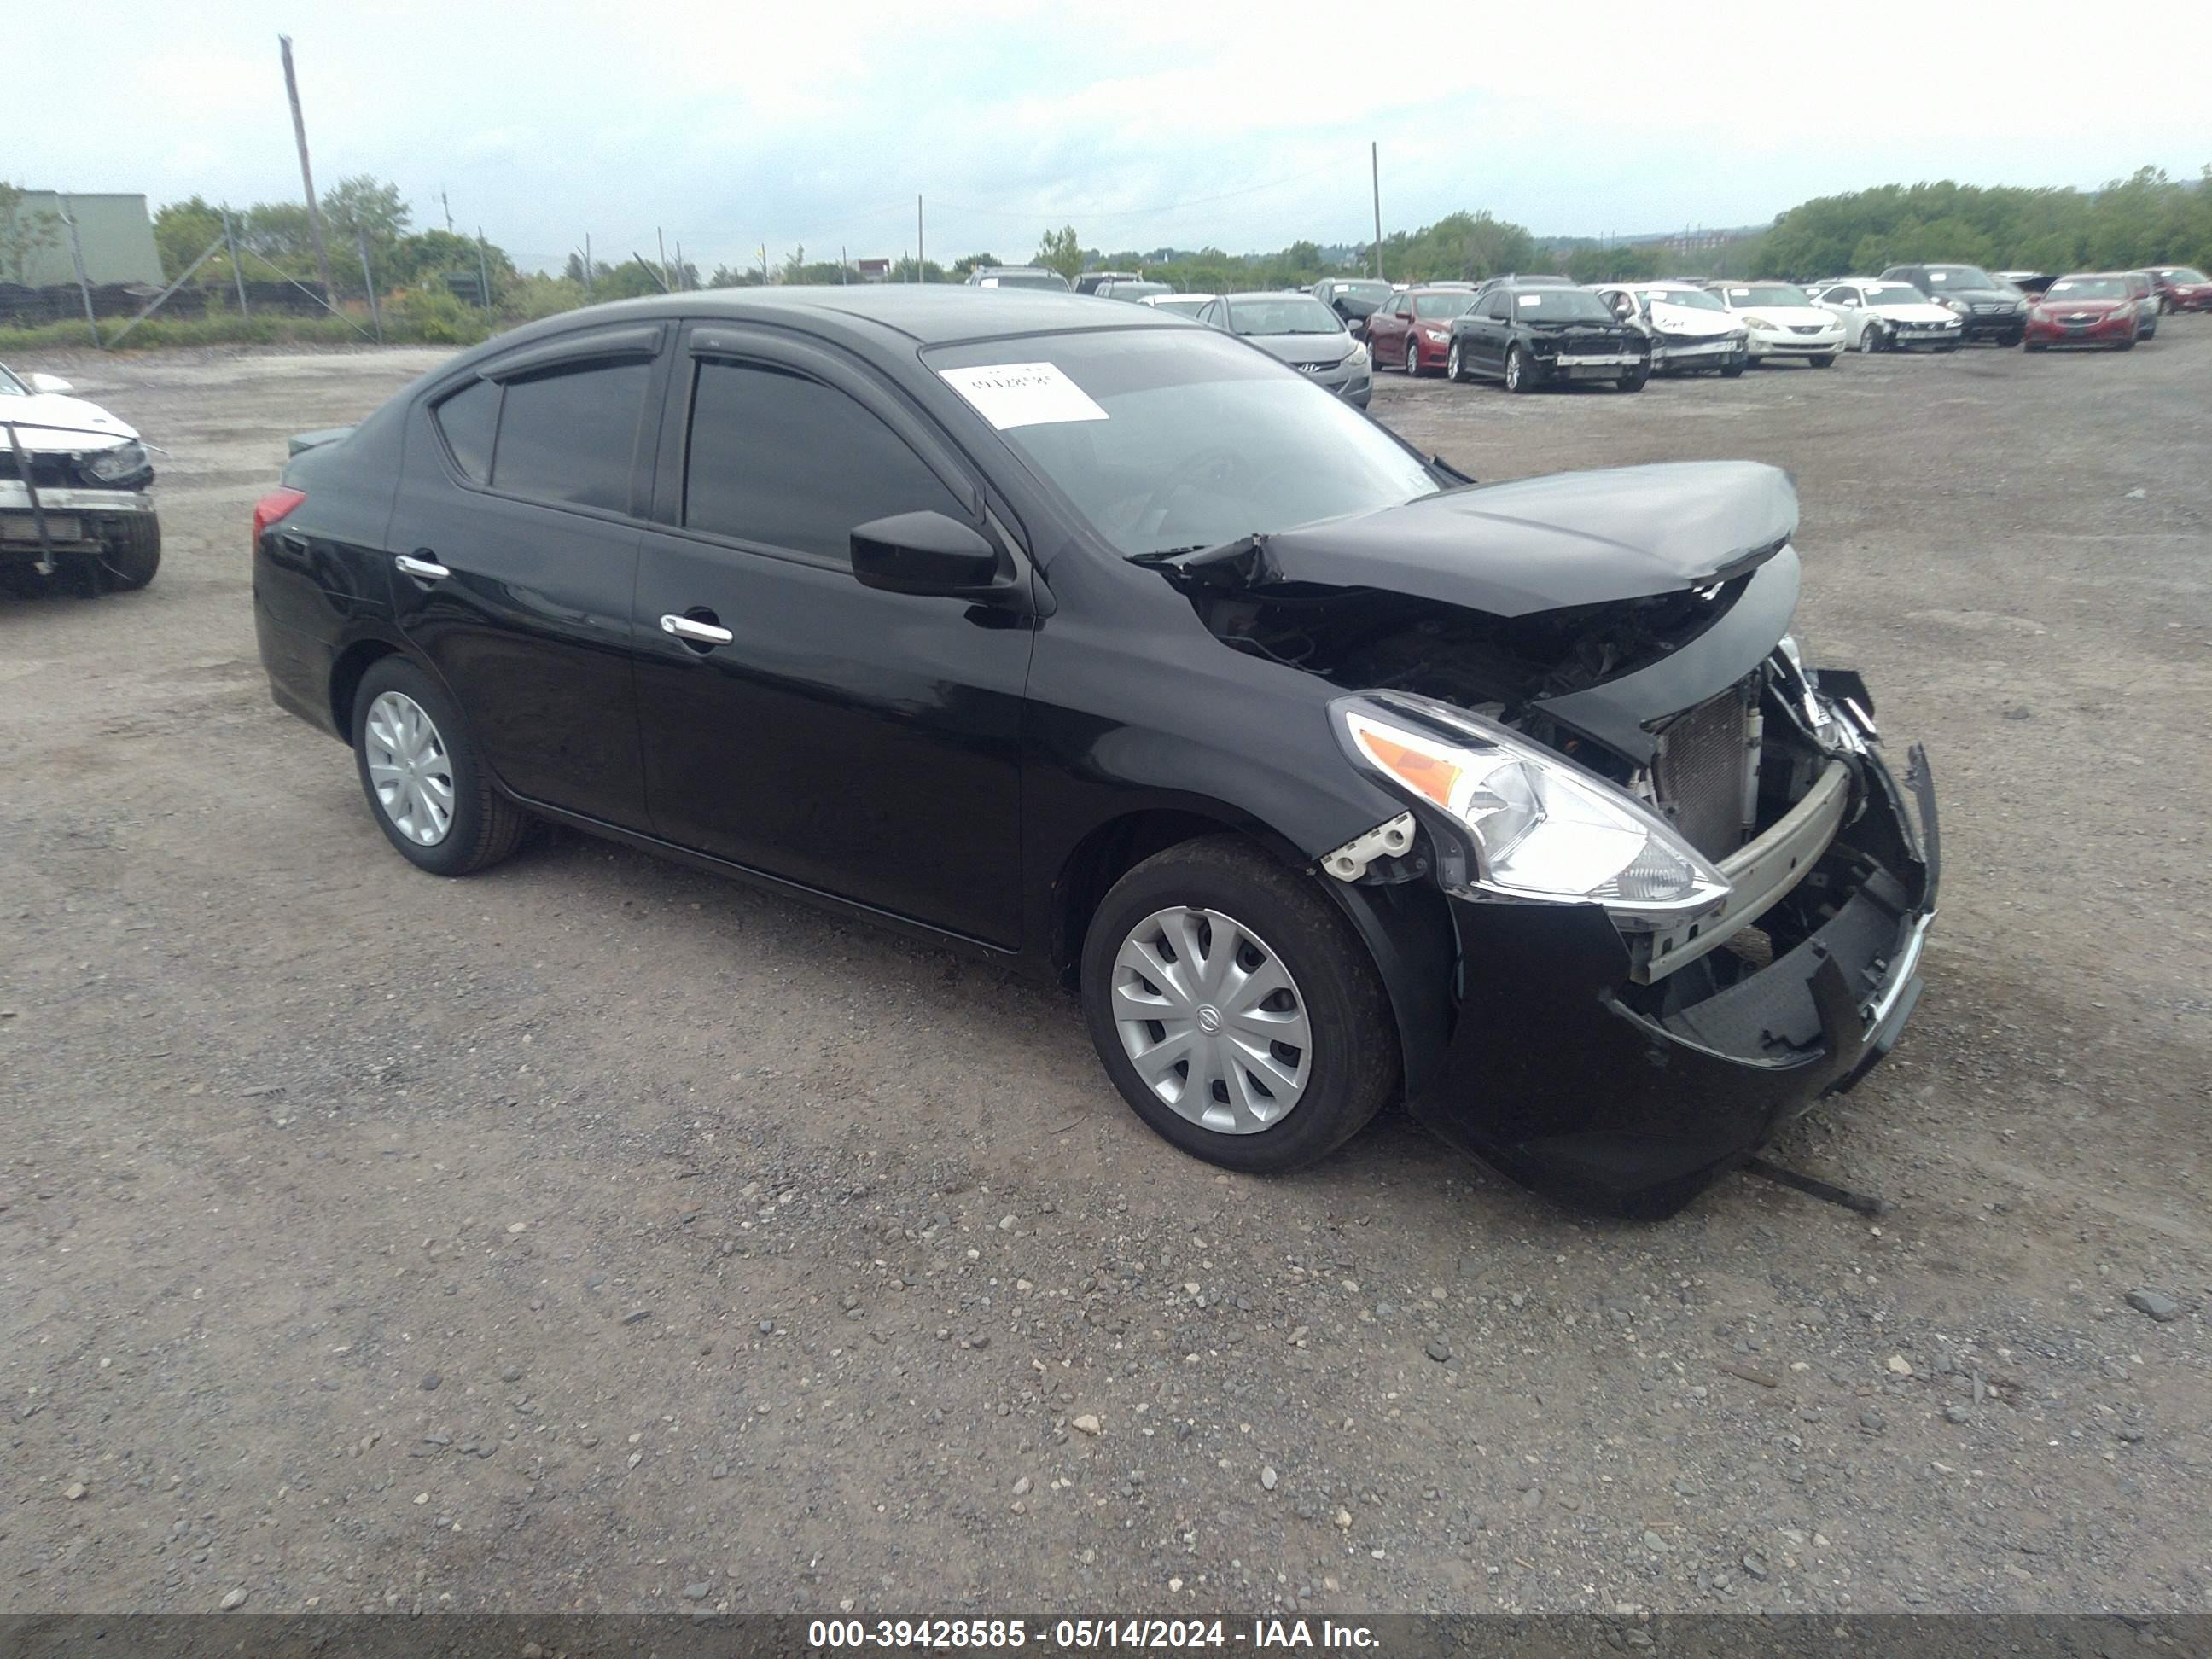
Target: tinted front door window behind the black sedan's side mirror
{"points": [[786, 461]]}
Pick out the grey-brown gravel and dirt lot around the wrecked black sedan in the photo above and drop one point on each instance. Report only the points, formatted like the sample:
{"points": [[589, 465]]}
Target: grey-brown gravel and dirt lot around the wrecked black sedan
{"points": [[601, 1235]]}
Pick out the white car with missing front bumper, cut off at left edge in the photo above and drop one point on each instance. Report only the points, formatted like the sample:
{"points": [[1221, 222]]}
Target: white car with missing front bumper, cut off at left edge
{"points": [[72, 490]]}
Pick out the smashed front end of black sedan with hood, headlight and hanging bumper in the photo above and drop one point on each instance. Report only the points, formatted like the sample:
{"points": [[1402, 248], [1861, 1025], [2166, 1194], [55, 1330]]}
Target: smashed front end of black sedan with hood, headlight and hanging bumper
{"points": [[1689, 897]]}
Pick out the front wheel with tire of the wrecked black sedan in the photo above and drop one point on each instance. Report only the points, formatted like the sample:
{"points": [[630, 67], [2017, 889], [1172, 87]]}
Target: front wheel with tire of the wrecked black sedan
{"points": [[1238, 1010]]}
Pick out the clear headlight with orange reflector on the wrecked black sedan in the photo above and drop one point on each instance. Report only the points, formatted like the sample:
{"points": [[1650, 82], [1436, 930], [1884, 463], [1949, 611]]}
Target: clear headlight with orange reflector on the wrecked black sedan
{"points": [[1541, 826]]}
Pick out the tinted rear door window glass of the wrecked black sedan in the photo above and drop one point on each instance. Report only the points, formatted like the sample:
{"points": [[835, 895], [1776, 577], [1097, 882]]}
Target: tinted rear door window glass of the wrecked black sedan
{"points": [[572, 437]]}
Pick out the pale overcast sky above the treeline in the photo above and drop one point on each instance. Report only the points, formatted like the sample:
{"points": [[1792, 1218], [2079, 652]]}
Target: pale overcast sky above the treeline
{"points": [[1240, 125]]}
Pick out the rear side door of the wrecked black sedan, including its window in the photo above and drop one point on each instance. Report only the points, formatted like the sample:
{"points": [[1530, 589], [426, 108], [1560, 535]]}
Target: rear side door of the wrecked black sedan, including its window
{"points": [[517, 541]]}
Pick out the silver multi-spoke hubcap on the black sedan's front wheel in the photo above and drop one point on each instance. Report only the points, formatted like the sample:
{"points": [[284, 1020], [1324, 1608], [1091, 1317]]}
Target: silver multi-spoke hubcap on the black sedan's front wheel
{"points": [[1211, 1021]]}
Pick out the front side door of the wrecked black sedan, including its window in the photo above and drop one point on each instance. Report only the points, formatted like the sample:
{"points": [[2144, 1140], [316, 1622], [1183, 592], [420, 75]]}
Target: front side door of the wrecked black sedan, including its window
{"points": [[848, 740]]}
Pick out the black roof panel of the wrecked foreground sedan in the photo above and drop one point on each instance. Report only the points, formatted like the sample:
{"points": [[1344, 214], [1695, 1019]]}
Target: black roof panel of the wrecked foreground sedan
{"points": [[928, 313]]}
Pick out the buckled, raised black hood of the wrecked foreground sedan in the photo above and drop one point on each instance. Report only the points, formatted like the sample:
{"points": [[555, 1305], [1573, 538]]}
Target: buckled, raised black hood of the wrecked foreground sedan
{"points": [[1541, 543]]}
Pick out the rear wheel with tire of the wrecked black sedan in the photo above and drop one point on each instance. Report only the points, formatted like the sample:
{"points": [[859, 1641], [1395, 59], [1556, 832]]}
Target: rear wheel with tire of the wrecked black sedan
{"points": [[428, 791]]}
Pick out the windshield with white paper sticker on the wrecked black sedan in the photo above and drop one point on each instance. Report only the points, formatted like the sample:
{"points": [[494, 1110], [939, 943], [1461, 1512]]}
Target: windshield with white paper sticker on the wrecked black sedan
{"points": [[1173, 439]]}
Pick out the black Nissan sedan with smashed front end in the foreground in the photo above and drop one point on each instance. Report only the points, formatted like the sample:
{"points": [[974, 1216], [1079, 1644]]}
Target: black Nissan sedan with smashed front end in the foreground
{"points": [[1103, 645]]}
